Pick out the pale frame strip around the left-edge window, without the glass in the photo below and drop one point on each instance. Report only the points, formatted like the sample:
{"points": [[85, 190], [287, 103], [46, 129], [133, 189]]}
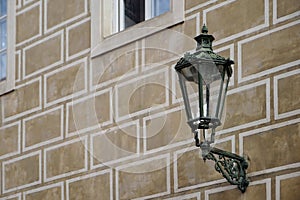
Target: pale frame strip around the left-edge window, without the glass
{"points": [[8, 84]]}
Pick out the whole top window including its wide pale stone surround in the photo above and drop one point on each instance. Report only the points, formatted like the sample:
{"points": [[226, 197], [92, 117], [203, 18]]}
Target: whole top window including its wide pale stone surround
{"points": [[118, 22]]}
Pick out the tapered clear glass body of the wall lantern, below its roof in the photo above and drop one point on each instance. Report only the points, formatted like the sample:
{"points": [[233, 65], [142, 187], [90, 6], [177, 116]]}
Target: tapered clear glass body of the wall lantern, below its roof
{"points": [[204, 91]]}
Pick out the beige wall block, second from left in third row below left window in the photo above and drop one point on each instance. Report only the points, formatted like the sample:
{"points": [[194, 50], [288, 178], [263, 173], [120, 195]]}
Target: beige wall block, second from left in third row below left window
{"points": [[65, 159]]}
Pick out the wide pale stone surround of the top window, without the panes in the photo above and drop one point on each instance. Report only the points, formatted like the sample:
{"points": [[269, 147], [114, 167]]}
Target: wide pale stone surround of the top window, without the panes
{"points": [[101, 45]]}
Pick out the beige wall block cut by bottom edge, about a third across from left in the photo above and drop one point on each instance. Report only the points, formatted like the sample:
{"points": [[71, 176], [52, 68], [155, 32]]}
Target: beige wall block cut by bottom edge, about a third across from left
{"points": [[97, 185]]}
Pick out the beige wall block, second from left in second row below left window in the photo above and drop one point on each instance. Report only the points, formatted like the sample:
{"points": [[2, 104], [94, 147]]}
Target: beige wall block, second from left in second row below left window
{"points": [[51, 124]]}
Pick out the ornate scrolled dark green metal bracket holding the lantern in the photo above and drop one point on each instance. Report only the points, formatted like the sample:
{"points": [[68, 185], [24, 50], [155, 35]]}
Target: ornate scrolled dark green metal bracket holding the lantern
{"points": [[231, 166]]}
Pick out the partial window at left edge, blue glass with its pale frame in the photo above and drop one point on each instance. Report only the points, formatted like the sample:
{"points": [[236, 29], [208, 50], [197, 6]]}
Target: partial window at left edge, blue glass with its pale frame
{"points": [[7, 40]]}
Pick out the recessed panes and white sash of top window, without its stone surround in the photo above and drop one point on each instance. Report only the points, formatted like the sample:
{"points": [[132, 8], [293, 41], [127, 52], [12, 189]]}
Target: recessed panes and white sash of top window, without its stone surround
{"points": [[122, 14]]}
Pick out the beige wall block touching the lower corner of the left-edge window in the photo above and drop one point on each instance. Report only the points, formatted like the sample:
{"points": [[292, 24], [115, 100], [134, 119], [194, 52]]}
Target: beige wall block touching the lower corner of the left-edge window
{"points": [[13, 104]]}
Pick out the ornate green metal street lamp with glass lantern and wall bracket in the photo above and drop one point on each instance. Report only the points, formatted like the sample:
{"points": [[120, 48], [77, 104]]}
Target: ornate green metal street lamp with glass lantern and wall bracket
{"points": [[203, 78]]}
